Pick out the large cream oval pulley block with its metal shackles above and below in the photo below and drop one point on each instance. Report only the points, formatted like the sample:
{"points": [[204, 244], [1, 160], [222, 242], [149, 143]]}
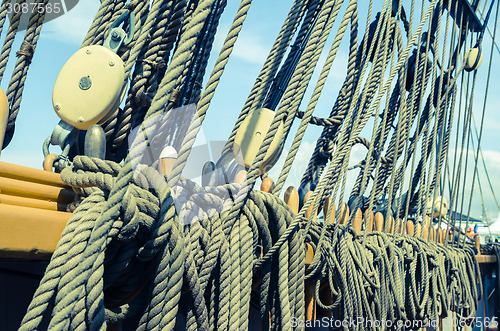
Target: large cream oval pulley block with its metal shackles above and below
{"points": [[90, 88]]}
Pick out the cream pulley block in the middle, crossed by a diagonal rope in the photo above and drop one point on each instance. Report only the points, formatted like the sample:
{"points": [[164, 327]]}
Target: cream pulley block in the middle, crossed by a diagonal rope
{"points": [[250, 136]]}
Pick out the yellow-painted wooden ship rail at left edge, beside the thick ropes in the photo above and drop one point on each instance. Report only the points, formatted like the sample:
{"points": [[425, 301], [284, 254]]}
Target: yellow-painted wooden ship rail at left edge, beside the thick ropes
{"points": [[32, 211]]}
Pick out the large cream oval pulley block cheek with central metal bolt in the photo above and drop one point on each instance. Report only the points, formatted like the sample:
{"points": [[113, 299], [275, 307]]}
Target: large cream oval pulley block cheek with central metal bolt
{"points": [[89, 87]]}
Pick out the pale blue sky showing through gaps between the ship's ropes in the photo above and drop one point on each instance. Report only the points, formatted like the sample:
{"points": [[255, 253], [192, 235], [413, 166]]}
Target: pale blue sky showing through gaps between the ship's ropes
{"points": [[62, 37]]}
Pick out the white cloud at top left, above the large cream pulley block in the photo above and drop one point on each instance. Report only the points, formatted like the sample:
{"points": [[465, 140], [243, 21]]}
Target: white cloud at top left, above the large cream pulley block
{"points": [[72, 27]]}
